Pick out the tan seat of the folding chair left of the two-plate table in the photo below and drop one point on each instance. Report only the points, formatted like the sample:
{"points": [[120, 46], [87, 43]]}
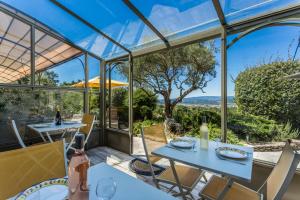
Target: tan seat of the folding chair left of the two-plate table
{"points": [[188, 176]]}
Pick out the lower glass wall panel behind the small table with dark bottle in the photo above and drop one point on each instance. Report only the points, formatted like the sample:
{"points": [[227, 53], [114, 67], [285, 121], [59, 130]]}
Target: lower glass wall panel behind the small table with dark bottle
{"points": [[27, 106]]}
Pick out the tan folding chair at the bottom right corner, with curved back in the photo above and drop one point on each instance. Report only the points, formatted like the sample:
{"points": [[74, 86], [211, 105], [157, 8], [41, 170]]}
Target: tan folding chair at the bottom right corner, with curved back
{"points": [[273, 189]]}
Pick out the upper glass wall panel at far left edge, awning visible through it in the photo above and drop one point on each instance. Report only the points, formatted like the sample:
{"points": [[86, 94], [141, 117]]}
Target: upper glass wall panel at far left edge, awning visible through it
{"points": [[14, 51]]}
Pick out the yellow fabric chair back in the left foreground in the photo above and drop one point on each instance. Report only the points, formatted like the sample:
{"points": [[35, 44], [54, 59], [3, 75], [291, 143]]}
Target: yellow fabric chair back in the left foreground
{"points": [[22, 168]]}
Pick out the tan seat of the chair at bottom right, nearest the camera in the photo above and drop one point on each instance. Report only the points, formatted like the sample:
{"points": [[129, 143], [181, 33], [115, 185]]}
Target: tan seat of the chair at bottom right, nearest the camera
{"points": [[236, 192]]}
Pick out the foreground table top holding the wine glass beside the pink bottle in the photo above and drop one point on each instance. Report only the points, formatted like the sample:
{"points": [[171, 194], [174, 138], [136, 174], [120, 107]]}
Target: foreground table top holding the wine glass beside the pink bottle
{"points": [[127, 187]]}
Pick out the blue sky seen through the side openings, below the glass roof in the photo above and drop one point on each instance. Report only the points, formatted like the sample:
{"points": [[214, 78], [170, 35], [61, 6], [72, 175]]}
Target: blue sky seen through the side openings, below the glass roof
{"points": [[256, 48]]}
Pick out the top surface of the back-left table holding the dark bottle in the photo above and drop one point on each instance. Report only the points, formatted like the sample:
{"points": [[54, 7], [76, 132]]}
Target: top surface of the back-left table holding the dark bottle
{"points": [[53, 127]]}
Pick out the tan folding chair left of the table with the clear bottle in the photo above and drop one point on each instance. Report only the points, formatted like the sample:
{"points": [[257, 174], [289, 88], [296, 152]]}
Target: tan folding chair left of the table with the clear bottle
{"points": [[154, 137]]}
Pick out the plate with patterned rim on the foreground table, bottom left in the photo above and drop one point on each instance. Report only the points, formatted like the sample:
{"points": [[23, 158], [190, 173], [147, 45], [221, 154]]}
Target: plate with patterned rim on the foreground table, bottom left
{"points": [[54, 189]]}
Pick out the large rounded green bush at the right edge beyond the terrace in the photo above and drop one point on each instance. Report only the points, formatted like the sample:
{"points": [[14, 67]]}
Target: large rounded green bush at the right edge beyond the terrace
{"points": [[262, 91]]}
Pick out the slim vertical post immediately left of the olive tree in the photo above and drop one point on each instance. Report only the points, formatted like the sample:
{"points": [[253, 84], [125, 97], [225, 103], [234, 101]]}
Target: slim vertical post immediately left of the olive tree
{"points": [[130, 98]]}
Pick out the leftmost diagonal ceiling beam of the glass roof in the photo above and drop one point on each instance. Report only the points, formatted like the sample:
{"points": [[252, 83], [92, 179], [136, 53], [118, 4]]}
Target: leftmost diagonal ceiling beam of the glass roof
{"points": [[89, 25]]}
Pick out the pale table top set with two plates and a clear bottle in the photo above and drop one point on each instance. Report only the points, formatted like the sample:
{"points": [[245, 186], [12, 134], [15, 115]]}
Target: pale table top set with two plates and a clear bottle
{"points": [[208, 160]]}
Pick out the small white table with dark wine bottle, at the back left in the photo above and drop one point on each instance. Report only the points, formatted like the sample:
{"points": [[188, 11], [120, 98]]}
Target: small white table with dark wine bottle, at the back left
{"points": [[49, 128]]}
